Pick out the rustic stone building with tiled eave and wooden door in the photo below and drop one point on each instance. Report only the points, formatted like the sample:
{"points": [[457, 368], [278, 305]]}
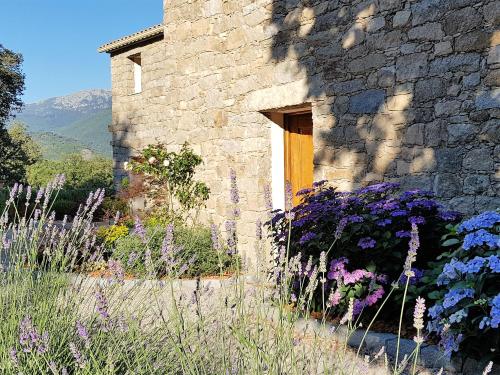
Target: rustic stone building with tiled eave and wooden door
{"points": [[346, 90]]}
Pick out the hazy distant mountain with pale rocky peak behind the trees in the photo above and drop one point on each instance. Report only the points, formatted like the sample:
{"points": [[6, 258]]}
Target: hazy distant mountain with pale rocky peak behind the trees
{"points": [[71, 123]]}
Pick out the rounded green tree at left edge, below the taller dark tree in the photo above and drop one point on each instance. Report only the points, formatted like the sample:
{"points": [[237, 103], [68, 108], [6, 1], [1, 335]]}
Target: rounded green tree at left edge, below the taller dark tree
{"points": [[18, 152]]}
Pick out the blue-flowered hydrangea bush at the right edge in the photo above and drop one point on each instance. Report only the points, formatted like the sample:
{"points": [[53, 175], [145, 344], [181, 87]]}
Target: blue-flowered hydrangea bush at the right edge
{"points": [[466, 313]]}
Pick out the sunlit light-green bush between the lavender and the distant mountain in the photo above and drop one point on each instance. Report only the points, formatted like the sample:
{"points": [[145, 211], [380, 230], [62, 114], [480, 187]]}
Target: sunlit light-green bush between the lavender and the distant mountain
{"points": [[82, 177]]}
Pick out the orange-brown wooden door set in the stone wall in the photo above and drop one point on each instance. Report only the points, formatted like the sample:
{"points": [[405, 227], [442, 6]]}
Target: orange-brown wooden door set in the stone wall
{"points": [[299, 152]]}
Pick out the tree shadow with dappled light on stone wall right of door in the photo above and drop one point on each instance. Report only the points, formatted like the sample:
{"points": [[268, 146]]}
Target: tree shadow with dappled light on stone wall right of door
{"points": [[408, 91]]}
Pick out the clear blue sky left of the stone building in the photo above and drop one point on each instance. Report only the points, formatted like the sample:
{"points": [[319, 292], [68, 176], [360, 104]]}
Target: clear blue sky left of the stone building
{"points": [[59, 39]]}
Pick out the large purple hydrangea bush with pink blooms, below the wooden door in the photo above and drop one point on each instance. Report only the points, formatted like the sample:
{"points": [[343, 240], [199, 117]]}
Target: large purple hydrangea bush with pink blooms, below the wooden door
{"points": [[363, 236]]}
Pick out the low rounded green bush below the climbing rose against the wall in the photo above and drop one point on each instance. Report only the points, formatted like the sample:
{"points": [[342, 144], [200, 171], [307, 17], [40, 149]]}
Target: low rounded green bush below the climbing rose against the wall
{"points": [[193, 248]]}
